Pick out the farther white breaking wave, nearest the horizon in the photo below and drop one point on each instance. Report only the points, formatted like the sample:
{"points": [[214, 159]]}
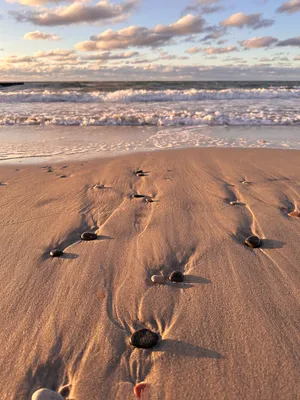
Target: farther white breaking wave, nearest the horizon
{"points": [[132, 96]]}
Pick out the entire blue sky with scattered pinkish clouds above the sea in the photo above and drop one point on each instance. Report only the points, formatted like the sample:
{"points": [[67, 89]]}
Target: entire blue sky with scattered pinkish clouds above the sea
{"points": [[45, 40]]}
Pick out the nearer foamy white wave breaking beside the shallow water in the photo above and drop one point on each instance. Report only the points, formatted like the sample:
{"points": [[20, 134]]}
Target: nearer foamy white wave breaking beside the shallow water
{"points": [[163, 118]]}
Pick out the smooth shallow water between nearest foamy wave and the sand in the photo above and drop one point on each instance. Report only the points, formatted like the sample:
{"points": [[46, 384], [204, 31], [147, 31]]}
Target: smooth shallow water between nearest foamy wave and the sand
{"points": [[27, 144]]}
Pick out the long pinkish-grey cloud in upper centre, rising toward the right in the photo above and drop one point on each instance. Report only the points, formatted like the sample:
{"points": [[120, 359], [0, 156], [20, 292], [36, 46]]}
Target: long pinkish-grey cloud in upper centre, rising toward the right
{"points": [[135, 36]]}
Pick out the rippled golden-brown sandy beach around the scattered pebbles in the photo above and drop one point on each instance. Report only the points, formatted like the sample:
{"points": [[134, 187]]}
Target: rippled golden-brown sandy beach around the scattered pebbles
{"points": [[230, 330]]}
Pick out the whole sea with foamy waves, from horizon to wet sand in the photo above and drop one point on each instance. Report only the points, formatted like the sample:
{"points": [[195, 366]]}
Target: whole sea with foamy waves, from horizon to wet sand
{"points": [[77, 120]]}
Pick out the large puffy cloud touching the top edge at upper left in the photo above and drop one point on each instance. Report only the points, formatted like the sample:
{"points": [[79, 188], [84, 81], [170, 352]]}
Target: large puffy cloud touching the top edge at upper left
{"points": [[77, 12]]}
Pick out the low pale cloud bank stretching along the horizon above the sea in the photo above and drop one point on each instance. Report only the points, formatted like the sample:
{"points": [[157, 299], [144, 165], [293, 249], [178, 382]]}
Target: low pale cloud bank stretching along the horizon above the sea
{"points": [[37, 71]]}
